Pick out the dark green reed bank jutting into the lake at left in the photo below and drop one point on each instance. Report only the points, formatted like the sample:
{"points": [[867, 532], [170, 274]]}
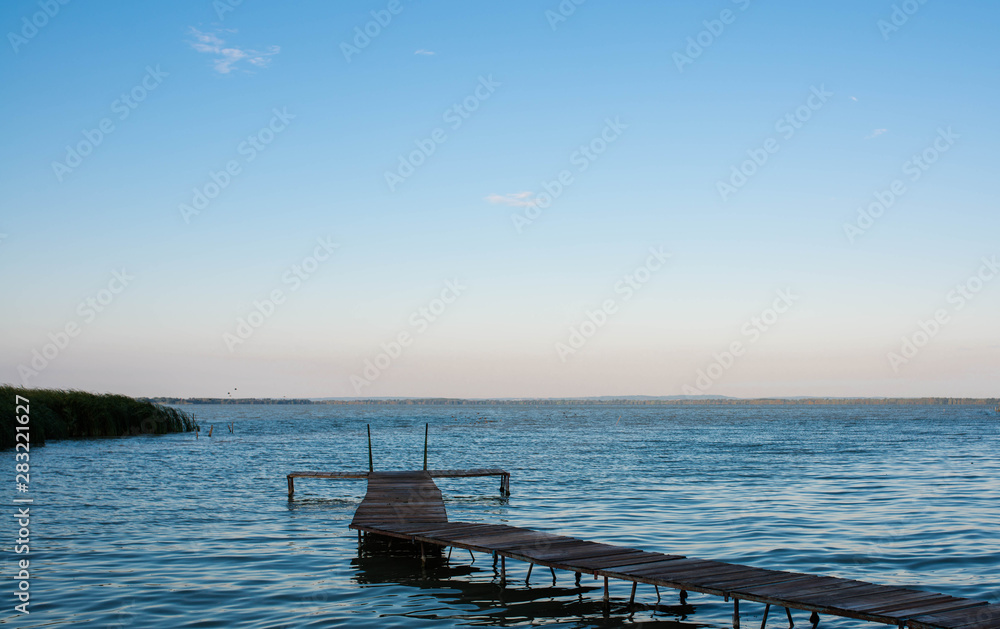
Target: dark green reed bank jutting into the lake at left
{"points": [[68, 414]]}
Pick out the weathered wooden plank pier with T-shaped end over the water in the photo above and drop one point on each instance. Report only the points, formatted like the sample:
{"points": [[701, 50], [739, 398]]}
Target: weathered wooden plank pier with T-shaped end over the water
{"points": [[408, 506]]}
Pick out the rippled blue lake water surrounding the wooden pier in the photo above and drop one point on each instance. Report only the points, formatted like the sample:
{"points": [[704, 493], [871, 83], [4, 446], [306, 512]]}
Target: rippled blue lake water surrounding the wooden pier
{"points": [[172, 532]]}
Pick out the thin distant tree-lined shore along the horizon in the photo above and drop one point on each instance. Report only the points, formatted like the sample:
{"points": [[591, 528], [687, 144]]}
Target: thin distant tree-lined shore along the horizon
{"points": [[601, 401]]}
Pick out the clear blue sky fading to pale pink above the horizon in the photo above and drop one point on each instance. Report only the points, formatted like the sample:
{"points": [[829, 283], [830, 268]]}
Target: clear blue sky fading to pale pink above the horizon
{"points": [[534, 82]]}
